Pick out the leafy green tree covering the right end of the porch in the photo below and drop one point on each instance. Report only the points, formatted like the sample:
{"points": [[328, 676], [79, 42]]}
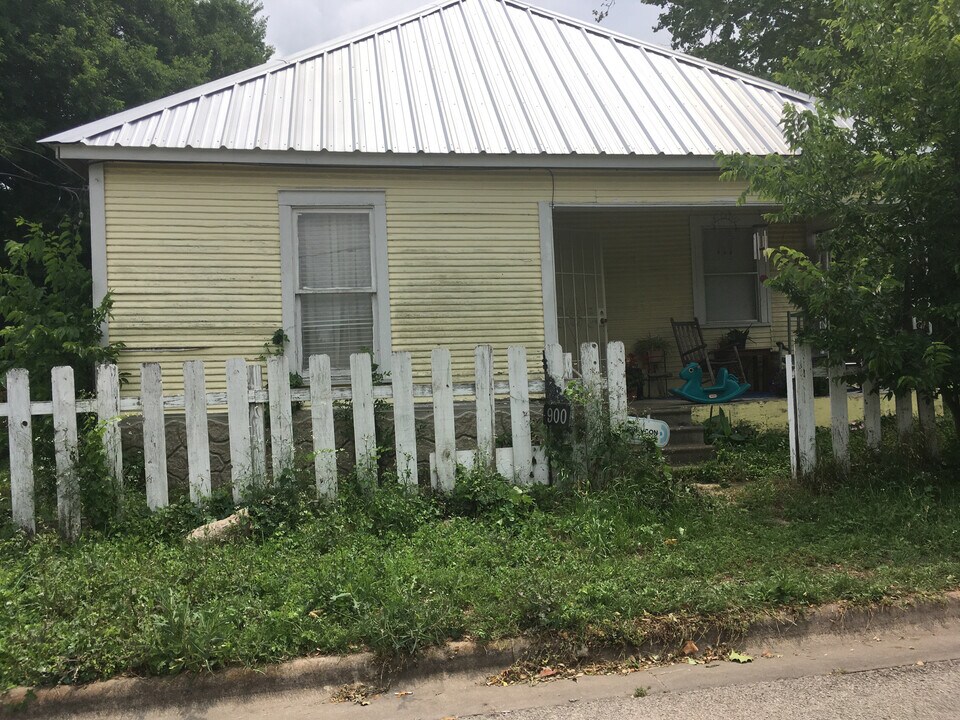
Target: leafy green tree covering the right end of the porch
{"points": [[878, 161]]}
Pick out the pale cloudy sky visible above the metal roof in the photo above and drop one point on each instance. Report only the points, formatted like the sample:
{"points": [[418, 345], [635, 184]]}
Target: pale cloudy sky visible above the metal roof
{"points": [[294, 25]]}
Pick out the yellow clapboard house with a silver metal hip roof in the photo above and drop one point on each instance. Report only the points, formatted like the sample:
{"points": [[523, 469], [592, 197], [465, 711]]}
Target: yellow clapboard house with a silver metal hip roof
{"points": [[480, 171]]}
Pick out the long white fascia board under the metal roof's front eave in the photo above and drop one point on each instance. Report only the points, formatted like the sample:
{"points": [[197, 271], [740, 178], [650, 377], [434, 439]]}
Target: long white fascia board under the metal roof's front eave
{"points": [[327, 159]]}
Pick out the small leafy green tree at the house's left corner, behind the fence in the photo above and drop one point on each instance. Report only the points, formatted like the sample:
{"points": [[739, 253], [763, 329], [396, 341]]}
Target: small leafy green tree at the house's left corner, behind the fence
{"points": [[45, 296]]}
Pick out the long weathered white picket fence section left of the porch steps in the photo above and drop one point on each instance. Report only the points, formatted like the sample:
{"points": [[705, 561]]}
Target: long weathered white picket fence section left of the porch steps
{"points": [[245, 398]]}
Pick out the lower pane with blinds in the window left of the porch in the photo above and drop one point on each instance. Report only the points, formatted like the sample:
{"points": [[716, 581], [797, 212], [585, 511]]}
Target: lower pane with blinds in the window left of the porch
{"points": [[336, 325]]}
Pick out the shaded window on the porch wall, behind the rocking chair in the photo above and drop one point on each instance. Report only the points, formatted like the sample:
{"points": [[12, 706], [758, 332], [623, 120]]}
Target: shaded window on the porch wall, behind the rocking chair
{"points": [[727, 266]]}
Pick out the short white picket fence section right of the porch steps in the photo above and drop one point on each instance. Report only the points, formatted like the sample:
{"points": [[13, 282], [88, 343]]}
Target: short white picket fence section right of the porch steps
{"points": [[802, 420]]}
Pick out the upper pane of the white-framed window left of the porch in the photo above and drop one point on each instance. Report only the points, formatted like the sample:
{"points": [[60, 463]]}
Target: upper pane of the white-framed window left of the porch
{"points": [[334, 250]]}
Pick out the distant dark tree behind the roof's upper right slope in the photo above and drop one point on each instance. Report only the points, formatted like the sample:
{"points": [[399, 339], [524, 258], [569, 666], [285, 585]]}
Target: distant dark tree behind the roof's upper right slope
{"points": [[750, 35]]}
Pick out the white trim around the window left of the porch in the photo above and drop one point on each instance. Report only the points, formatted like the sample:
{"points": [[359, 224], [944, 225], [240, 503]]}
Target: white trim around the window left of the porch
{"points": [[294, 201]]}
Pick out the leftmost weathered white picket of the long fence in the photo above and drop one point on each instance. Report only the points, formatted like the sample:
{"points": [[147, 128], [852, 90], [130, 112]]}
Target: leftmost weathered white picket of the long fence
{"points": [[20, 433]]}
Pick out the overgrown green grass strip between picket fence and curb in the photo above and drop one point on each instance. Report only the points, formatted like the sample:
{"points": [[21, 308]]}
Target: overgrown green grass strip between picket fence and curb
{"points": [[394, 572]]}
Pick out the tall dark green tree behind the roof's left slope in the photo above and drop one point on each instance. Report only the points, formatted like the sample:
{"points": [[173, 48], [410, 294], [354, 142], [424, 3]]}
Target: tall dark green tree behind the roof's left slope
{"points": [[66, 62]]}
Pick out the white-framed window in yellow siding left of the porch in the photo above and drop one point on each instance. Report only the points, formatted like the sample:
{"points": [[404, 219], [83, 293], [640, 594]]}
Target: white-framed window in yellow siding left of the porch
{"points": [[334, 277]]}
